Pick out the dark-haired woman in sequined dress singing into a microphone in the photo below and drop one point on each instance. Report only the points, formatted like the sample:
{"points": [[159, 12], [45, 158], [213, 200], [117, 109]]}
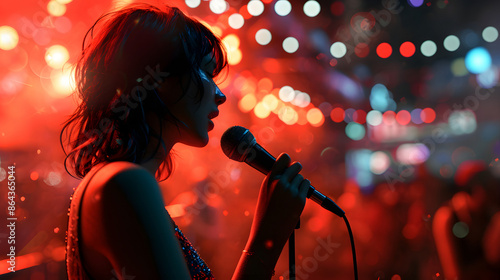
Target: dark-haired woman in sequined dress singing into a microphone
{"points": [[145, 81]]}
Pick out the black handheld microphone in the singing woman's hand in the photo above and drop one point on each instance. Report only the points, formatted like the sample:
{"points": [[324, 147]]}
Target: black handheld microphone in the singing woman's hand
{"points": [[239, 144]]}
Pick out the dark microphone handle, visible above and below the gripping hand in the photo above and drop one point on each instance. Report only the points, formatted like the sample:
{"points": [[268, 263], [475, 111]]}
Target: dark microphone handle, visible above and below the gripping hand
{"points": [[263, 161]]}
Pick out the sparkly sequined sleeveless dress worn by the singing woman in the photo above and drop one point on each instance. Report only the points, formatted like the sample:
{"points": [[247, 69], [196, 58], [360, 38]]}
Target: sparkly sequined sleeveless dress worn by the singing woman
{"points": [[74, 264]]}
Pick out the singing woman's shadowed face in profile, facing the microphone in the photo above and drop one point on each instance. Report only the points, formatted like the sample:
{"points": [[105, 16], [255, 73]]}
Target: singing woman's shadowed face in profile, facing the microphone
{"points": [[194, 115]]}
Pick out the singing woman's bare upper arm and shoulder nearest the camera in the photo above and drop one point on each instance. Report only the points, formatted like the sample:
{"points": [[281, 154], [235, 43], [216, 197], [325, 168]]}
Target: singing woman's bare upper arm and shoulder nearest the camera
{"points": [[139, 236]]}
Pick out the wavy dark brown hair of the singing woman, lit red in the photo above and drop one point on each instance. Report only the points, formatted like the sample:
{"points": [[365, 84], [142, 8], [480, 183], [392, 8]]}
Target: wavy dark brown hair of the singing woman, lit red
{"points": [[125, 57]]}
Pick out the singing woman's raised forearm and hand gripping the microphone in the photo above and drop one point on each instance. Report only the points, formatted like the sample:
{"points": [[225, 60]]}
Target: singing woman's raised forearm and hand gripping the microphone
{"points": [[281, 200]]}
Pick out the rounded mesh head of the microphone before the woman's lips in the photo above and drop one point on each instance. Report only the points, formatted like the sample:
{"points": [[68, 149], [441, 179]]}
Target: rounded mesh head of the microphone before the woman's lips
{"points": [[236, 141]]}
